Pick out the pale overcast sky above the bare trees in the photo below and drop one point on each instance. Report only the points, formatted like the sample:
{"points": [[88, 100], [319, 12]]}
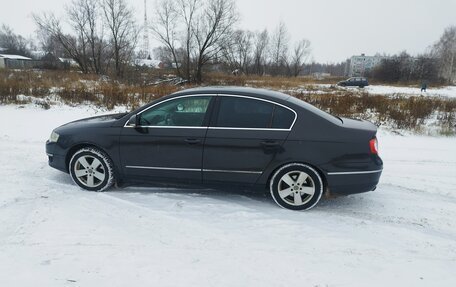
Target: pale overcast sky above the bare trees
{"points": [[337, 29]]}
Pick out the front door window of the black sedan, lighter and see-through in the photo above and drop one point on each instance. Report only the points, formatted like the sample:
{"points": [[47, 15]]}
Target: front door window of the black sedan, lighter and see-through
{"points": [[187, 111]]}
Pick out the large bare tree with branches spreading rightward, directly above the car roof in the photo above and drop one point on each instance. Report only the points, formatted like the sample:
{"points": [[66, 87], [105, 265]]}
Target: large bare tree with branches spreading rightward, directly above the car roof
{"points": [[212, 31]]}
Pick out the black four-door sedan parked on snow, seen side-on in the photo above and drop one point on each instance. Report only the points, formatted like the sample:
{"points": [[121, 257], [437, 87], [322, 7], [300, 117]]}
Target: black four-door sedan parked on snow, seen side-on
{"points": [[223, 137]]}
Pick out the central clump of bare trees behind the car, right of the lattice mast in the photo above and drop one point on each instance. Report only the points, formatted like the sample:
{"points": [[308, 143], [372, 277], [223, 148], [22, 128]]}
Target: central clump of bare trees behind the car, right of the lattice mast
{"points": [[194, 33]]}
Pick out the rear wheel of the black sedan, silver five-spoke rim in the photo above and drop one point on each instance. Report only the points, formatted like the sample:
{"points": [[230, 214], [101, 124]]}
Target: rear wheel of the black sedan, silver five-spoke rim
{"points": [[296, 186]]}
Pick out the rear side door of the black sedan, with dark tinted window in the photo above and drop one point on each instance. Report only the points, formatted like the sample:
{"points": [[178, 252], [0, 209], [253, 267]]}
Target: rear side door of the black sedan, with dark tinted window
{"points": [[244, 136]]}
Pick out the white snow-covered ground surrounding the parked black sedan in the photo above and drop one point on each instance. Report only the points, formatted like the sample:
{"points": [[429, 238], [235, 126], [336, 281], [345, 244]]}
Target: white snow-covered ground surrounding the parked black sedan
{"points": [[52, 233]]}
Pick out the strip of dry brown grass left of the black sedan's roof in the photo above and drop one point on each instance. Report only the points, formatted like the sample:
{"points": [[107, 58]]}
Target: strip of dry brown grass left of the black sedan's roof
{"points": [[75, 88]]}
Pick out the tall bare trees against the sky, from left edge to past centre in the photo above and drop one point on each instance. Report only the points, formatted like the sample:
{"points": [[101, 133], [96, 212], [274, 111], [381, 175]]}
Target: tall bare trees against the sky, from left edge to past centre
{"points": [[102, 36]]}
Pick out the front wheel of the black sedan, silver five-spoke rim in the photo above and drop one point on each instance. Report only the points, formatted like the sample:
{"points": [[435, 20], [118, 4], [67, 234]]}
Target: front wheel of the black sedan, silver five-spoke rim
{"points": [[91, 169]]}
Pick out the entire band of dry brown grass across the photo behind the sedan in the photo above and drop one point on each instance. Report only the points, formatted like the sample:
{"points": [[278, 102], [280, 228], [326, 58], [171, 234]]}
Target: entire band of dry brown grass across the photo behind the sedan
{"points": [[75, 88]]}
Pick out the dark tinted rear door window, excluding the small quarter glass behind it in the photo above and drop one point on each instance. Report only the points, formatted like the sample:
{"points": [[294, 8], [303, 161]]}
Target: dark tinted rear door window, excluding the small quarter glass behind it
{"points": [[240, 112]]}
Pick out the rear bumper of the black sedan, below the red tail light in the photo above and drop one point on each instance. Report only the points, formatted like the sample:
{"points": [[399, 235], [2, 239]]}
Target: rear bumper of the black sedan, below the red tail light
{"points": [[344, 183]]}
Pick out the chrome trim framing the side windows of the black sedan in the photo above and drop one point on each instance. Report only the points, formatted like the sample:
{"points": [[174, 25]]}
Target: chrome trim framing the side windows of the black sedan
{"points": [[218, 128]]}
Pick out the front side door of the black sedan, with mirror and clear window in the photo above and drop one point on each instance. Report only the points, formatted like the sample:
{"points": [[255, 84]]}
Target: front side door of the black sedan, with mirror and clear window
{"points": [[168, 143]]}
